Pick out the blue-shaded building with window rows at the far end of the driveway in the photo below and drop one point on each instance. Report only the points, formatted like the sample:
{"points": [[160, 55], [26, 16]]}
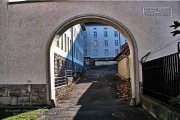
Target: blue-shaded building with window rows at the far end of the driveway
{"points": [[101, 43]]}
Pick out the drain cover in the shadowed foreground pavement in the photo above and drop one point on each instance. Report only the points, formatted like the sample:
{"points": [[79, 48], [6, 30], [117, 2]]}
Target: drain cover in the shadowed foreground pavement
{"points": [[123, 115]]}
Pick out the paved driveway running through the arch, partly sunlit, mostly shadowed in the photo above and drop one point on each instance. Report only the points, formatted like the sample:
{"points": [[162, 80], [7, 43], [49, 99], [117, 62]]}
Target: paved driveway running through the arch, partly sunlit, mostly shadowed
{"points": [[95, 98]]}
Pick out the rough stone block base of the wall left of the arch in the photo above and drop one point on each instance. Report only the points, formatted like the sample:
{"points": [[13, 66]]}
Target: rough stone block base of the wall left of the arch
{"points": [[23, 94]]}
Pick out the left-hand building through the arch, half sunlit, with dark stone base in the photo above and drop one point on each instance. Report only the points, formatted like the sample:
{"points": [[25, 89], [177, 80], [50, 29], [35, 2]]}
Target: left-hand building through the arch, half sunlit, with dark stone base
{"points": [[69, 50]]}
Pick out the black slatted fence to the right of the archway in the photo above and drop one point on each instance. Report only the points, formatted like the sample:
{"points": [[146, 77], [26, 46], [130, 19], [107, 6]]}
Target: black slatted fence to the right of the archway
{"points": [[161, 77]]}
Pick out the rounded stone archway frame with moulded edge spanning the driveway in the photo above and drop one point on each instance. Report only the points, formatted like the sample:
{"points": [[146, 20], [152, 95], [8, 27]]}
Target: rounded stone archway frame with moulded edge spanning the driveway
{"points": [[105, 20]]}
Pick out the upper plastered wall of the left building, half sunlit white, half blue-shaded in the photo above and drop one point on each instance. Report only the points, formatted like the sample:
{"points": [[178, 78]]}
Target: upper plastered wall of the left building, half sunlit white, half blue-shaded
{"points": [[77, 42]]}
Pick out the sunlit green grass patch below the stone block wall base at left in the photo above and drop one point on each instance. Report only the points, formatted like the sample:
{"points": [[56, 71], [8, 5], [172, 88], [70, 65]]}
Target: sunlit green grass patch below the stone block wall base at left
{"points": [[26, 115]]}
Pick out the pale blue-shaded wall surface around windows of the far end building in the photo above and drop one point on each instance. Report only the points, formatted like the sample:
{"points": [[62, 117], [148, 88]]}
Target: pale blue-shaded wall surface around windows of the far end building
{"points": [[101, 41]]}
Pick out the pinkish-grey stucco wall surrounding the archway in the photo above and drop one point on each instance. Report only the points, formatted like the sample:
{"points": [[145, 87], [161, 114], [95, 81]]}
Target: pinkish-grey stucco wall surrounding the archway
{"points": [[31, 24]]}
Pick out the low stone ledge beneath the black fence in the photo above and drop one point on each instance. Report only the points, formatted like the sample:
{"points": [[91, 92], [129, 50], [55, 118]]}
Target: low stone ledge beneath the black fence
{"points": [[157, 110]]}
